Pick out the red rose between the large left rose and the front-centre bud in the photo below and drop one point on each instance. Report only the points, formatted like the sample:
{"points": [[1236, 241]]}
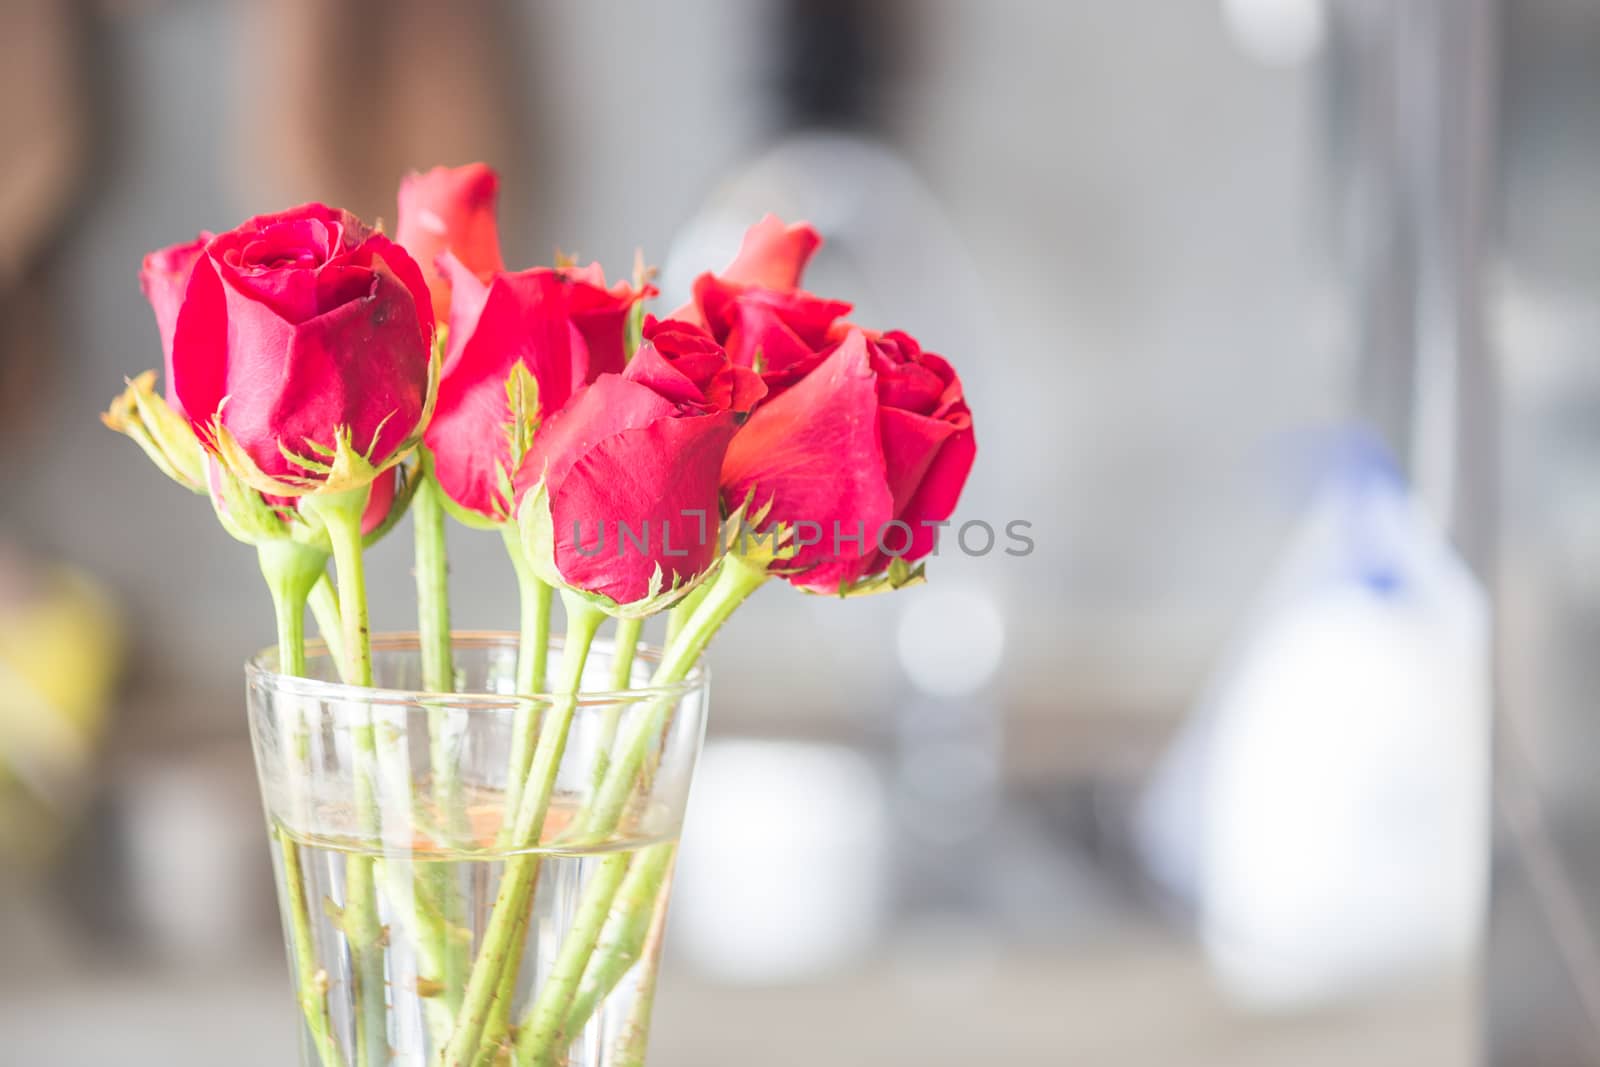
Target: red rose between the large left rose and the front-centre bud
{"points": [[562, 327]]}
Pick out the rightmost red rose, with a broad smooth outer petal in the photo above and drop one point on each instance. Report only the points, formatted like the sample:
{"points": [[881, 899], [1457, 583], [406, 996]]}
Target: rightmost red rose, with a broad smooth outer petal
{"points": [[857, 463]]}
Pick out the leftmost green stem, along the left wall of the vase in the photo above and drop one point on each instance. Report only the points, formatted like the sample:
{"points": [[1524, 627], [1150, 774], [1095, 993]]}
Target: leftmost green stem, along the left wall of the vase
{"points": [[292, 572]]}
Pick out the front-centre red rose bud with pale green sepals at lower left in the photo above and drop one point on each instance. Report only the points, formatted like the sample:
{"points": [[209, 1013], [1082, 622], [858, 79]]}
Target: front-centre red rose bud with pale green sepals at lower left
{"points": [[620, 490]]}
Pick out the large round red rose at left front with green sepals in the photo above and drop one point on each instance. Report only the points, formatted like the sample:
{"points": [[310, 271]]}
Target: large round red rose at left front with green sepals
{"points": [[318, 335]]}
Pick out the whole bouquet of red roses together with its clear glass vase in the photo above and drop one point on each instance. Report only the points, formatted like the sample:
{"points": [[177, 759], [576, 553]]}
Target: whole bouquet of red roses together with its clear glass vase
{"points": [[474, 837]]}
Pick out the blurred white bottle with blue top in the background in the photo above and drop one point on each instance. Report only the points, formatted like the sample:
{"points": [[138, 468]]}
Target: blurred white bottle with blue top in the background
{"points": [[1327, 812]]}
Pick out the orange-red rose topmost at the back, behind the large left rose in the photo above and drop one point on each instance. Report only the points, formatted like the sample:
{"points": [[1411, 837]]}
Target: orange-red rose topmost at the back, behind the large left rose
{"points": [[450, 209]]}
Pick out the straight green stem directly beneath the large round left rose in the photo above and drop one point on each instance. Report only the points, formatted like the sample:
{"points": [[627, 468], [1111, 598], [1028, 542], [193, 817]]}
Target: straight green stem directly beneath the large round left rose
{"points": [[342, 516]]}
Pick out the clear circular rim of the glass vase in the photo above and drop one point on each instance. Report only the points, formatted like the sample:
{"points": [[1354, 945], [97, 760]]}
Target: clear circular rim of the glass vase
{"points": [[263, 669]]}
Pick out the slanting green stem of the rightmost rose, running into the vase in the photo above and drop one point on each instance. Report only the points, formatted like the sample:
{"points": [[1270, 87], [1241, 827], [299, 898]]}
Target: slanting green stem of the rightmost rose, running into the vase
{"points": [[551, 1021]]}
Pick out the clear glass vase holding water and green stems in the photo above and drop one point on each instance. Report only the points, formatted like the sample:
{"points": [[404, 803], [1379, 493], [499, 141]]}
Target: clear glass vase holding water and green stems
{"points": [[473, 877]]}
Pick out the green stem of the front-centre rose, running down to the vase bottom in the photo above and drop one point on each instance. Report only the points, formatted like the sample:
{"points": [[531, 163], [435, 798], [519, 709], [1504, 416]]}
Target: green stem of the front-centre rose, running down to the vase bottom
{"points": [[516, 889]]}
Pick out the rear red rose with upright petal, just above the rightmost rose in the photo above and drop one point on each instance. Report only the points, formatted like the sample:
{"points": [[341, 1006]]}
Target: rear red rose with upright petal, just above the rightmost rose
{"points": [[758, 311]]}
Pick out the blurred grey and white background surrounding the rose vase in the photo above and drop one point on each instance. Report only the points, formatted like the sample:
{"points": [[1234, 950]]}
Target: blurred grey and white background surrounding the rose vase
{"points": [[1278, 319]]}
